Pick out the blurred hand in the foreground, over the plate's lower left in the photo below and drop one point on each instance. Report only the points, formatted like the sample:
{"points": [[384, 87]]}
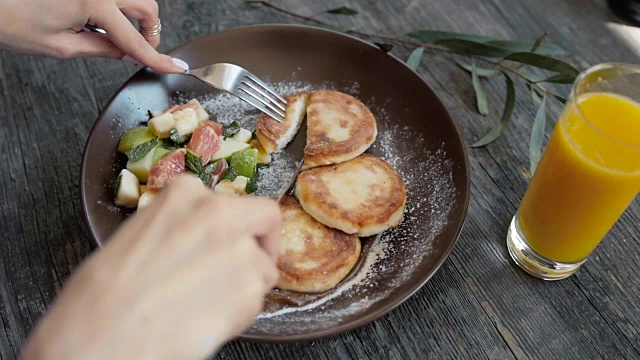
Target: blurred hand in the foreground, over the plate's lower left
{"points": [[178, 279]]}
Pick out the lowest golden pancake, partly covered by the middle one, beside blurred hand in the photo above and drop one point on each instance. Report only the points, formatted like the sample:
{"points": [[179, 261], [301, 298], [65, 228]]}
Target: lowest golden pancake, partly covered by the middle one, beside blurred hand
{"points": [[313, 257]]}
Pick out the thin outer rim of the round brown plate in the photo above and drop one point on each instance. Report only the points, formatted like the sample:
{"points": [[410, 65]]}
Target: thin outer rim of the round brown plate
{"points": [[367, 318]]}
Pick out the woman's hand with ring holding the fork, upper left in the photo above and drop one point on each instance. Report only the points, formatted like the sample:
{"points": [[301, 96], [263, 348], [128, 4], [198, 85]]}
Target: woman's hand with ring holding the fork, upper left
{"points": [[54, 28]]}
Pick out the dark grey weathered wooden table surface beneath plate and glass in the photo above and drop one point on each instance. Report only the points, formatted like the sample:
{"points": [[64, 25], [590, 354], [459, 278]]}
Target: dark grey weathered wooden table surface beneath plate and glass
{"points": [[478, 305]]}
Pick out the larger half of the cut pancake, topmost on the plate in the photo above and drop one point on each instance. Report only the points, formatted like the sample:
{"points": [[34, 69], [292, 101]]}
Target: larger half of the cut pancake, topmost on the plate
{"points": [[339, 128]]}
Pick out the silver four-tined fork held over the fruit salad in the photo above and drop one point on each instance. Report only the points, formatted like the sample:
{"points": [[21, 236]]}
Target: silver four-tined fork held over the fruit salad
{"points": [[243, 84]]}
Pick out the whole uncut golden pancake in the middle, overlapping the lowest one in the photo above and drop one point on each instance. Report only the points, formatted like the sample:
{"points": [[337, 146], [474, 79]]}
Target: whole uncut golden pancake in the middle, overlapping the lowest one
{"points": [[362, 196]]}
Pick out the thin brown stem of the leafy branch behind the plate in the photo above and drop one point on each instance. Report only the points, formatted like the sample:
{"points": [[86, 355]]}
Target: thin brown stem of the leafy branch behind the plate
{"points": [[398, 38]]}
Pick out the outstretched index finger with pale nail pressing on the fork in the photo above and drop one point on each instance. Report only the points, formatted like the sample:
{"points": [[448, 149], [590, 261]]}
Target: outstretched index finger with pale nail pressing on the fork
{"points": [[130, 41]]}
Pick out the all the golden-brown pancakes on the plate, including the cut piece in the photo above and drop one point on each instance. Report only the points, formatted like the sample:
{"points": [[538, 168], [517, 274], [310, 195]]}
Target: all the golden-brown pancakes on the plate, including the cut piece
{"points": [[340, 195]]}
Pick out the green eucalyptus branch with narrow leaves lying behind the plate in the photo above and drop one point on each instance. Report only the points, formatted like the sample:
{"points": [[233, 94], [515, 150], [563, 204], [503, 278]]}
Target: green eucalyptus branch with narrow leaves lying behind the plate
{"points": [[507, 57]]}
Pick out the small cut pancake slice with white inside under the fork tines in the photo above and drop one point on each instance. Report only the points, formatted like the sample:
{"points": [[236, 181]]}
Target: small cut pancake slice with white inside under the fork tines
{"points": [[274, 136]]}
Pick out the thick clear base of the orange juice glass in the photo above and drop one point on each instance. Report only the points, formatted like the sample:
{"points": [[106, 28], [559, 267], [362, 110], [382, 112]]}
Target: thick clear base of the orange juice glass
{"points": [[532, 262]]}
